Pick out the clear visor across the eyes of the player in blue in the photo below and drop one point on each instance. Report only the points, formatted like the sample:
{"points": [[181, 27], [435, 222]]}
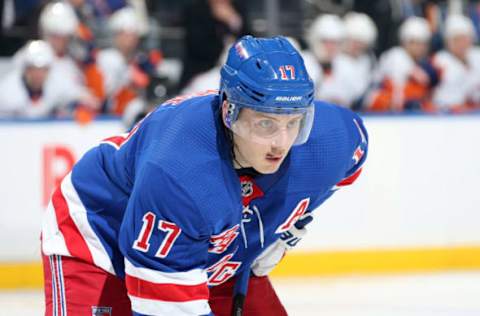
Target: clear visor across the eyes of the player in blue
{"points": [[271, 127]]}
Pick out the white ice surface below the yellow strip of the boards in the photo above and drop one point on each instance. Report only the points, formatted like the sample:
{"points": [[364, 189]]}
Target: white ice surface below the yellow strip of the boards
{"points": [[452, 294]]}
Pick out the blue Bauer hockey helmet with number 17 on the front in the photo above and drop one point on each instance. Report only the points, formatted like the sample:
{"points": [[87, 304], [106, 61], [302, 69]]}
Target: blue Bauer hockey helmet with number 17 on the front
{"points": [[267, 75]]}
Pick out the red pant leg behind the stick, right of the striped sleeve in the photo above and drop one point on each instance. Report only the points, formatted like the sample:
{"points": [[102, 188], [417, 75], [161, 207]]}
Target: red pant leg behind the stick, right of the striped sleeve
{"points": [[261, 299]]}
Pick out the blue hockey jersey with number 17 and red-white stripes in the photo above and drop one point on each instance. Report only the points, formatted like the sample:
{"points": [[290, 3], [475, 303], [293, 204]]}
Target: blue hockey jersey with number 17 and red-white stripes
{"points": [[164, 208]]}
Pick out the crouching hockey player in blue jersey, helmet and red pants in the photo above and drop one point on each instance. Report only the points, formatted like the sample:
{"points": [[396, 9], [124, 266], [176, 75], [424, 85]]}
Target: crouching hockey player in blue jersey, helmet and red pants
{"points": [[166, 219]]}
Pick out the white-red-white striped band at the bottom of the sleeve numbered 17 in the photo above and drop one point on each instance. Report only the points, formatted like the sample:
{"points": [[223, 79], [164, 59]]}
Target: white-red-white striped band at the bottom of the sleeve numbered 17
{"points": [[155, 292]]}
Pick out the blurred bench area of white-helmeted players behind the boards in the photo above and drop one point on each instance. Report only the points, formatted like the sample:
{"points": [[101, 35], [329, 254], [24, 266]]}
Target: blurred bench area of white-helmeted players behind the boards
{"points": [[83, 58]]}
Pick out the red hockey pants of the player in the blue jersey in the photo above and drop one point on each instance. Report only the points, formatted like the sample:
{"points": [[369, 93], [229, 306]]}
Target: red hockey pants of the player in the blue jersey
{"points": [[87, 286]]}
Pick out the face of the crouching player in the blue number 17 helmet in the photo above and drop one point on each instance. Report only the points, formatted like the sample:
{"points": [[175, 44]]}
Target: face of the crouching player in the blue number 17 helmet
{"points": [[270, 139]]}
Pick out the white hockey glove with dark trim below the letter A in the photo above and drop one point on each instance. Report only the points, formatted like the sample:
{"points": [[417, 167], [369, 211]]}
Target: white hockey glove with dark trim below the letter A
{"points": [[269, 258]]}
